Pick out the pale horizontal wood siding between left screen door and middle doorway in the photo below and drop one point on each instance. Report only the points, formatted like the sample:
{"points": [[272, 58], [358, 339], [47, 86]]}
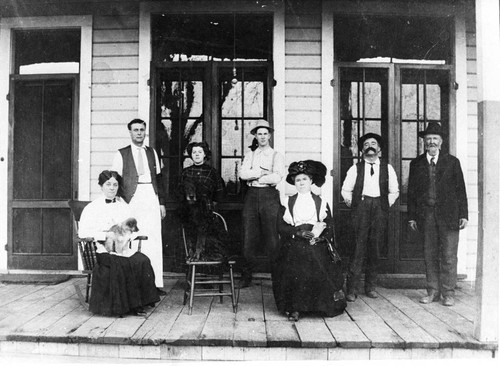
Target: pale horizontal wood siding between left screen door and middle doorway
{"points": [[115, 66]]}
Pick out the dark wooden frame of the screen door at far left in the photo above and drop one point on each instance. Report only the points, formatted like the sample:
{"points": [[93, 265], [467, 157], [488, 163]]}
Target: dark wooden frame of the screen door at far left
{"points": [[75, 150]]}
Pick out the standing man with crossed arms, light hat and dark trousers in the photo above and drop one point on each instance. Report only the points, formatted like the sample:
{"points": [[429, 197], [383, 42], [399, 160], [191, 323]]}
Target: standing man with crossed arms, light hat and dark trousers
{"points": [[263, 168]]}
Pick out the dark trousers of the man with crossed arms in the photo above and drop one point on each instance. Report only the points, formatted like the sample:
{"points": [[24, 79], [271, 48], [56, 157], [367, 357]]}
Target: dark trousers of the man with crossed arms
{"points": [[260, 214]]}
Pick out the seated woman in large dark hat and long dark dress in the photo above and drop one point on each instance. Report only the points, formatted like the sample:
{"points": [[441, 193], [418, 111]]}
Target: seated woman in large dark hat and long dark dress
{"points": [[307, 276]]}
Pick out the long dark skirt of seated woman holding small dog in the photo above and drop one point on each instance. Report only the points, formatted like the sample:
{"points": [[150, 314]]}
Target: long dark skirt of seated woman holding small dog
{"points": [[121, 284]]}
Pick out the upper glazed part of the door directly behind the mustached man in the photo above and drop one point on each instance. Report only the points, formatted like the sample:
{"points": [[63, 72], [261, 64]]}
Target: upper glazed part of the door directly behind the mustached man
{"points": [[363, 109]]}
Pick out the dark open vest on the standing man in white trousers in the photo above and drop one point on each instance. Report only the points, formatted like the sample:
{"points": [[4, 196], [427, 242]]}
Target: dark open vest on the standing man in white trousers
{"points": [[130, 176]]}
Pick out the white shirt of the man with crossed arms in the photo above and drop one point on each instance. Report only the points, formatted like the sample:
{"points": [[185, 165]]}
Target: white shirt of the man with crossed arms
{"points": [[263, 159]]}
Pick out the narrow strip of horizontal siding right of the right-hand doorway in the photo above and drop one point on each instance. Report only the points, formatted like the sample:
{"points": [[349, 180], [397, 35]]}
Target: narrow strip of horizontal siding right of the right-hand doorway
{"points": [[472, 143]]}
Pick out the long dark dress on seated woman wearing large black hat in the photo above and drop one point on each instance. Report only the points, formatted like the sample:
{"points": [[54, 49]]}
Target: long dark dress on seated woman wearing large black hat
{"points": [[304, 277]]}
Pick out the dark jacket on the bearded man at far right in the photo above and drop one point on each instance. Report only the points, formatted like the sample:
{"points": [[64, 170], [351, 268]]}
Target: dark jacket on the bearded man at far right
{"points": [[451, 197]]}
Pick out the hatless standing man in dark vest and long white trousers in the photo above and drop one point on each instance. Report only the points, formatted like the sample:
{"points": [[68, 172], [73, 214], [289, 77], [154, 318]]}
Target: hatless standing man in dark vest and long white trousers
{"points": [[139, 166]]}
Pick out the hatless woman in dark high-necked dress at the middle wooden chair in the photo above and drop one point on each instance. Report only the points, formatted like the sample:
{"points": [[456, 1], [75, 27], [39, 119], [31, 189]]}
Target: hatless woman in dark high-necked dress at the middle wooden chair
{"points": [[202, 187]]}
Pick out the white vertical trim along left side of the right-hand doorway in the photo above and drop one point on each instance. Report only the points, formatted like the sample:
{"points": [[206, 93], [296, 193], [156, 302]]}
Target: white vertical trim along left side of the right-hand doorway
{"points": [[327, 102]]}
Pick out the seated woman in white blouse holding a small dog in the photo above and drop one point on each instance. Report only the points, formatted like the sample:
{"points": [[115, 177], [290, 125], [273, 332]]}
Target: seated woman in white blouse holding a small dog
{"points": [[123, 280]]}
